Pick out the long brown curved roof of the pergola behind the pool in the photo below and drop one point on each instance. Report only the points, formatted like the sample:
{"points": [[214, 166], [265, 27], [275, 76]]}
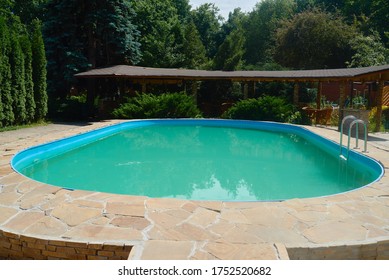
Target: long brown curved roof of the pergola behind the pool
{"points": [[363, 74]]}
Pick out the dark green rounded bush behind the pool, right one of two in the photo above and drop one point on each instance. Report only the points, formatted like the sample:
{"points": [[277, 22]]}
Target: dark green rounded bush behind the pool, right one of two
{"points": [[267, 108]]}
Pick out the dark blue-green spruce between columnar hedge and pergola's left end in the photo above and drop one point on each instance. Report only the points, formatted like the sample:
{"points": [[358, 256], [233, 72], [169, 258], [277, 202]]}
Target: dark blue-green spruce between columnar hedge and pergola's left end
{"points": [[85, 34]]}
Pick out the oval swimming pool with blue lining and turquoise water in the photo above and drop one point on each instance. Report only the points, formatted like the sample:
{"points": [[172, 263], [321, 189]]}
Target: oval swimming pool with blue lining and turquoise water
{"points": [[199, 160]]}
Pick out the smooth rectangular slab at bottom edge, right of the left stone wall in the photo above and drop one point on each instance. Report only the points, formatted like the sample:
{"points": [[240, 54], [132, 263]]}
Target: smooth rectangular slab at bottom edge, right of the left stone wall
{"points": [[167, 250]]}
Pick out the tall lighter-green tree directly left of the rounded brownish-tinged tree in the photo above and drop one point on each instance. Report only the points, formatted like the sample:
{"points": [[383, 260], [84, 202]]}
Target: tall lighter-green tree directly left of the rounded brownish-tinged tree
{"points": [[261, 25]]}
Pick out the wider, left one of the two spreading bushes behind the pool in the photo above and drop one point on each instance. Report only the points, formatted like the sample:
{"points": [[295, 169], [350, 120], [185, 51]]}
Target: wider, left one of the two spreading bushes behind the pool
{"points": [[168, 105]]}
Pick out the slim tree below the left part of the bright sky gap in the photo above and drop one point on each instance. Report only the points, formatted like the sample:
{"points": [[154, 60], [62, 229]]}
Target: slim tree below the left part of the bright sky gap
{"points": [[207, 21]]}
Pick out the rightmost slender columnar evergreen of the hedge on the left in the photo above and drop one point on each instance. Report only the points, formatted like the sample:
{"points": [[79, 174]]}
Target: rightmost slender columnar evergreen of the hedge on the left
{"points": [[39, 71]]}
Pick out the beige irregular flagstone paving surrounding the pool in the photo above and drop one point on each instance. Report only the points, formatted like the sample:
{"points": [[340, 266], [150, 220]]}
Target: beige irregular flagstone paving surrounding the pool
{"points": [[353, 225]]}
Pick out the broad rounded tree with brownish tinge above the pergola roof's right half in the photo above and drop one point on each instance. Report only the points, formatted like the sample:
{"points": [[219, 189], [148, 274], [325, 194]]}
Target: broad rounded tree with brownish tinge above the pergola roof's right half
{"points": [[314, 39]]}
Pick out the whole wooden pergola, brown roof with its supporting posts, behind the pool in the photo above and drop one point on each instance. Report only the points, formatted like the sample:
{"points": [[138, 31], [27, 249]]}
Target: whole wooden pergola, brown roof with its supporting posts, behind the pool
{"points": [[145, 75]]}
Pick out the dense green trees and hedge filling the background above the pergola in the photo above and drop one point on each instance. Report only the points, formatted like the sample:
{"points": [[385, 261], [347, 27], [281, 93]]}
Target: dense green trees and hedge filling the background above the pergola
{"points": [[79, 35]]}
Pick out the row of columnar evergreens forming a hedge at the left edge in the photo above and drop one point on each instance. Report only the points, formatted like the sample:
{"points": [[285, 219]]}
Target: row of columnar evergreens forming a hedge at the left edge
{"points": [[17, 85]]}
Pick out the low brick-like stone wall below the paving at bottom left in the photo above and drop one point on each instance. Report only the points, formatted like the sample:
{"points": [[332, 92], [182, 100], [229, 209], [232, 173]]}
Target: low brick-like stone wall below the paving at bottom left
{"points": [[14, 246]]}
